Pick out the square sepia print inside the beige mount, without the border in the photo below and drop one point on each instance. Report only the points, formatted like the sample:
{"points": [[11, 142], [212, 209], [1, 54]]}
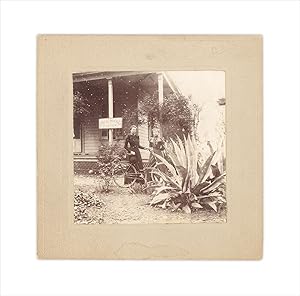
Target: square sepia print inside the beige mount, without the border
{"points": [[149, 147]]}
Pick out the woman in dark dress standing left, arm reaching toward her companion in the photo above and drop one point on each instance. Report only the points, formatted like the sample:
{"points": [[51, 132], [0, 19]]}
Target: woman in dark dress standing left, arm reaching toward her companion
{"points": [[132, 145]]}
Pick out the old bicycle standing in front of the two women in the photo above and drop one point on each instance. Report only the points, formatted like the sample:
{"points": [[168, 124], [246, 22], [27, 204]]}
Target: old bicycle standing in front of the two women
{"points": [[125, 174]]}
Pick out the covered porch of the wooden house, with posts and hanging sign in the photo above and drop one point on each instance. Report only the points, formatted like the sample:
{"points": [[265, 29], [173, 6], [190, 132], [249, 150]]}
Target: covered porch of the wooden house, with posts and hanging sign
{"points": [[109, 95]]}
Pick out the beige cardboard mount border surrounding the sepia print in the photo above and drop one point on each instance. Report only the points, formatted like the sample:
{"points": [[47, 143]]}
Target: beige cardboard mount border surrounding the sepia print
{"points": [[240, 56]]}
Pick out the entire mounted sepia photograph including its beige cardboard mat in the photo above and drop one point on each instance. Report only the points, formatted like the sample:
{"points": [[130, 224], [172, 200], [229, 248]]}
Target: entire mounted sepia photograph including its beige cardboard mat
{"points": [[160, 155]]}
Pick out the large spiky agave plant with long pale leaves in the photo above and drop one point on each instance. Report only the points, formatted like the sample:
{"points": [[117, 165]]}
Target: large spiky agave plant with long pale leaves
{"points": [[187, 184]]}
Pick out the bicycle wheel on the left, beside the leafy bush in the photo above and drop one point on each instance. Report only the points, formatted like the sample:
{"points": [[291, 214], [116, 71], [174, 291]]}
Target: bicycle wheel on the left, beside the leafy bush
{"points": [[124, 174]]}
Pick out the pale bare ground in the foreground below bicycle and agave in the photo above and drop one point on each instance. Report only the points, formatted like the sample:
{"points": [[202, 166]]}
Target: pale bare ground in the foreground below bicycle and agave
{"points": [[123, 207]]}
